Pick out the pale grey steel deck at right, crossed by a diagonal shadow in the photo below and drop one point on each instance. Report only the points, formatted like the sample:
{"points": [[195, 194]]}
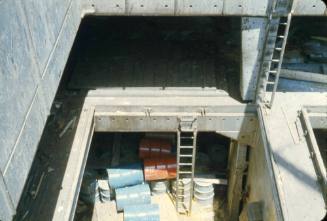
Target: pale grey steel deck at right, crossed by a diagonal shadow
{"points": [[292, 164]]}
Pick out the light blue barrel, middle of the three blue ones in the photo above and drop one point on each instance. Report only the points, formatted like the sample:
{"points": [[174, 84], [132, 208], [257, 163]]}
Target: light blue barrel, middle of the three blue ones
{"points": [[134, 195]]}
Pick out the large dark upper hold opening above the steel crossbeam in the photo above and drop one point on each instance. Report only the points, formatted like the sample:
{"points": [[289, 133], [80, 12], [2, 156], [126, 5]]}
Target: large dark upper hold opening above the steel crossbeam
{"points": [[157, 52]]}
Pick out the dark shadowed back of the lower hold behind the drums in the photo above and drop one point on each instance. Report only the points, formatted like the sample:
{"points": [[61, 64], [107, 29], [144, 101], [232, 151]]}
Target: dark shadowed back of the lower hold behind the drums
{"points": [[212, 149]]}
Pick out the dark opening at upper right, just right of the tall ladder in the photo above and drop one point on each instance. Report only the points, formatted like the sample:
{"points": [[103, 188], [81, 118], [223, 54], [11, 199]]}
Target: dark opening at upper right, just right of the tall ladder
{"points": [[305, 59]]}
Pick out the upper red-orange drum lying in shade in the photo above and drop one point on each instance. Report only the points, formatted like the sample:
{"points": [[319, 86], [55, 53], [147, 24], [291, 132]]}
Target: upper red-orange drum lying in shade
{"points": [[152, 148]]}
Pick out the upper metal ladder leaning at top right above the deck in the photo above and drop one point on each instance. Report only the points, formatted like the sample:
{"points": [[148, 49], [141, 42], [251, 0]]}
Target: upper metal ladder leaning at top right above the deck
{"points": [[274, 49]]}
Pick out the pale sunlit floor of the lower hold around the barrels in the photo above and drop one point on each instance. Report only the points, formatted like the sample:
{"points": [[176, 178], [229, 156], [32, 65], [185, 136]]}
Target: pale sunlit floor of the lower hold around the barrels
{"points": [[107, 211]]}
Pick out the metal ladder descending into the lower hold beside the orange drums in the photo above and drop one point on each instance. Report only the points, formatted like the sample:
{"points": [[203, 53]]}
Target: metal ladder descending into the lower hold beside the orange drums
{"points": [[186, 153]]}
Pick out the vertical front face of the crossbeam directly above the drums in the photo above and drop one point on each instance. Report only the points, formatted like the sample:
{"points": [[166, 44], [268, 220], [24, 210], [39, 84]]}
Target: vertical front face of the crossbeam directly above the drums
{"points": [[239, 125]]}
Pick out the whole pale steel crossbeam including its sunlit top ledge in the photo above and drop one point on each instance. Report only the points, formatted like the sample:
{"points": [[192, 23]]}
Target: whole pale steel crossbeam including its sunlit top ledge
{"points": [[157, 112]]}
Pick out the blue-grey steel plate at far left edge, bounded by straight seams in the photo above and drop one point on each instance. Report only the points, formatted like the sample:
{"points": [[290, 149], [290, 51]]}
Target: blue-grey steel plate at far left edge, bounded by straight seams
{"points": [[17, 87]]}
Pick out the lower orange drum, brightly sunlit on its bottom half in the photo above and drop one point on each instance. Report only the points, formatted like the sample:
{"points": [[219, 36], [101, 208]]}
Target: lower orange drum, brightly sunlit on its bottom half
{"points": [[160, 168]]}
